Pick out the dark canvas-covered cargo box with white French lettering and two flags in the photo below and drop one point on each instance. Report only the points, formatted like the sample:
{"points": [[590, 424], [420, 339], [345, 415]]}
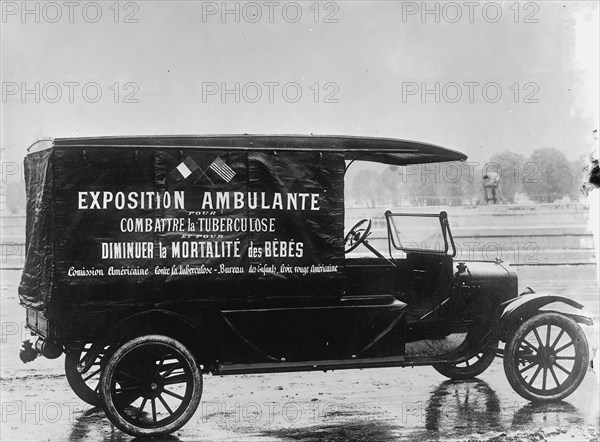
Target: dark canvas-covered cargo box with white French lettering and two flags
{"points": [[135, 223]]}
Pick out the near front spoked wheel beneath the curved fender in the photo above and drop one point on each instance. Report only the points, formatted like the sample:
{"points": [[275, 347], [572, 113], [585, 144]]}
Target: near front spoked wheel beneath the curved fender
{"points": [[561, 356]]}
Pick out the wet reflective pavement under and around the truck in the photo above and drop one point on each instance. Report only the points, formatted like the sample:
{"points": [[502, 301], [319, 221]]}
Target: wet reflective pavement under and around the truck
{"points": [[375, 404]]}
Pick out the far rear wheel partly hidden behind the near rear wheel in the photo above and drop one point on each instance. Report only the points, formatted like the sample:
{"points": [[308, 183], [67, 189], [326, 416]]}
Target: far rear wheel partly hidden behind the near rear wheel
{"points": [[85, 385]]}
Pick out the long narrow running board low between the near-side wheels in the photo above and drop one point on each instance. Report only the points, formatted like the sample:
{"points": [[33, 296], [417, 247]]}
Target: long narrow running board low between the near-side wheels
{"points": [[334, 364]]}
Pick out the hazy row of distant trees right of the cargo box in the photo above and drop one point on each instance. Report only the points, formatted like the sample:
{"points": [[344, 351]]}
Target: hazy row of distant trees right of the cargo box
{"points": [[546, 176]]}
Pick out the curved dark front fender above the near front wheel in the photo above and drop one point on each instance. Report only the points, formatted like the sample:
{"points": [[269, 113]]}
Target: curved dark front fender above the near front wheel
{"points": [[518, 310]]}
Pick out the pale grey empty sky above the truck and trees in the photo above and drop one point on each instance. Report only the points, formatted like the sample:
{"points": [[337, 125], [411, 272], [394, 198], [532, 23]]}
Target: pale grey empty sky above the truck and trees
{"points": [[500, 76]]}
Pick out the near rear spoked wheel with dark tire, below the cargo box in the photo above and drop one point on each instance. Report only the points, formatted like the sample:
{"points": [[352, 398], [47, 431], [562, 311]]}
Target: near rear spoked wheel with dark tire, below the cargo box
{"points": [[134, 384]]}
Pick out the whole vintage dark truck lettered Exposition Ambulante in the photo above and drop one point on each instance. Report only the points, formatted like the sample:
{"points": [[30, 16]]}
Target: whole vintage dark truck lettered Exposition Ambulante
{"points": [[153, 260]]}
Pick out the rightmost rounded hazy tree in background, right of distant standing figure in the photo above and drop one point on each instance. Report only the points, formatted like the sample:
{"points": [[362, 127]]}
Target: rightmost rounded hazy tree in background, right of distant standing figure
{"points": [[553, 178]]}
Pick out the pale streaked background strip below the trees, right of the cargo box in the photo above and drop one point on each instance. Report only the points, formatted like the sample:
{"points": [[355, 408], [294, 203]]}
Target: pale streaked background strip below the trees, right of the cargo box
{"points": [[520, 234]]}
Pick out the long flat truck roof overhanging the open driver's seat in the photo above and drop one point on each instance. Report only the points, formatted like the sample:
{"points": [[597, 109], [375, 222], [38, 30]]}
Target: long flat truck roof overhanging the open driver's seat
{"points": [[381, 150]]}
